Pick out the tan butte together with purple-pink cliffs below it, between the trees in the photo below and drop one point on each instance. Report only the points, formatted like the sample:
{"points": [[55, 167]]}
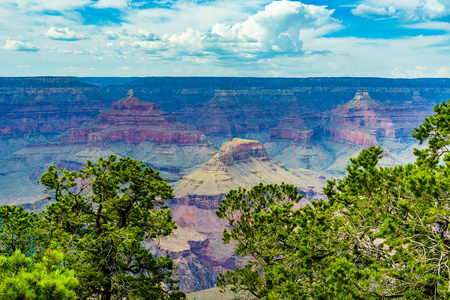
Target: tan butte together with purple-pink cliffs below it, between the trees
{"points": [[239, 163]]}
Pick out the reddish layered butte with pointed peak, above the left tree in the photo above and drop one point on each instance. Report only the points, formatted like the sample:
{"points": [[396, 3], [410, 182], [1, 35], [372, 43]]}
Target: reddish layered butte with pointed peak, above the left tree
{"points": [[141, 130]]}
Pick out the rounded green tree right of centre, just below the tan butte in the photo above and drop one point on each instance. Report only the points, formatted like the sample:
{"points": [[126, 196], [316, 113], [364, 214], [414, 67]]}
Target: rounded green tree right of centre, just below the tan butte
{"points": [[292, 249]]}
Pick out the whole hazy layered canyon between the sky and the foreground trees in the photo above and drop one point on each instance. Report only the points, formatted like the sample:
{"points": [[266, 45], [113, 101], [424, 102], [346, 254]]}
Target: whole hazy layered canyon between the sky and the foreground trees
{"points": [[206, 136]]}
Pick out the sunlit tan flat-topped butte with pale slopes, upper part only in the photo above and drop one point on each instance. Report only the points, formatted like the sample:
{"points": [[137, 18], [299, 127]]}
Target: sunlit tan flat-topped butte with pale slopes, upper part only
{"points": [[239, 163]]}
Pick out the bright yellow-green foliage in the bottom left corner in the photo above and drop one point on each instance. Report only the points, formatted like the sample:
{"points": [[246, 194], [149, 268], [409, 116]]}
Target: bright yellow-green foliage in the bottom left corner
{"points": [[20, 278]]}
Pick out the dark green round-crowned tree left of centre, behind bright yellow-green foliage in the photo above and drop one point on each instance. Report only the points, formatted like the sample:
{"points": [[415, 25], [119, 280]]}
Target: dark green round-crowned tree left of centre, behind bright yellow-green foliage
{"points": [[99, 219]]}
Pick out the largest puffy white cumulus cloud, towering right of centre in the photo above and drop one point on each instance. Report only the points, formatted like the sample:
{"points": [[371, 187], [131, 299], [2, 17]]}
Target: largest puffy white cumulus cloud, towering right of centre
{"points": [[279, 29]]}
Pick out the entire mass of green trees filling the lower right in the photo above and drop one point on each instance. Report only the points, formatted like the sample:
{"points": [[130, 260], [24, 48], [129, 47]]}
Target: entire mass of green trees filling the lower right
{"points": [[382, 234]]}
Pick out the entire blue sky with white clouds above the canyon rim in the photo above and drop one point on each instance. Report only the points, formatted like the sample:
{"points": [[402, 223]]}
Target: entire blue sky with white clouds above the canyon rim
{"points": [[256, 38]]}
